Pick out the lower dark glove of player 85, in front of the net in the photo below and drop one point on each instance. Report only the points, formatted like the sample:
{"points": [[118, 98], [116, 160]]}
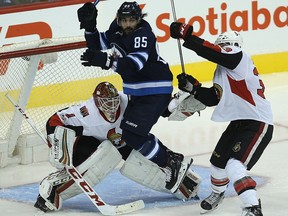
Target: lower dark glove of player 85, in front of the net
{"points": [[97, 58]]}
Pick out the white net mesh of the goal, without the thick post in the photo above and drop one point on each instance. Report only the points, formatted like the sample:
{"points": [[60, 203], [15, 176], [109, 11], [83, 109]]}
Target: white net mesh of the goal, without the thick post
{"points": [[60, 80]]}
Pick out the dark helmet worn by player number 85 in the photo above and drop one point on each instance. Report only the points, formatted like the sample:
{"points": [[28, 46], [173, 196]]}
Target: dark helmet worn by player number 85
{"points": [[129, 9]]}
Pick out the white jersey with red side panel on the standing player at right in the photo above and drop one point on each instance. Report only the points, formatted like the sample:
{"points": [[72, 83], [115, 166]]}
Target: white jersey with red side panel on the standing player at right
{"points": [[241, 91]]}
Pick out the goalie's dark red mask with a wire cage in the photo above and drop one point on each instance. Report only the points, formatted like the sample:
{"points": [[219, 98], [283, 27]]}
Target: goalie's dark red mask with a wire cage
{"points": [[107, 100]]}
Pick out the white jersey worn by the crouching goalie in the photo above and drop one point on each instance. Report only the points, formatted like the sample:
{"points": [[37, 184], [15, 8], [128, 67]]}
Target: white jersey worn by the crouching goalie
{"points": [[87, 115]]}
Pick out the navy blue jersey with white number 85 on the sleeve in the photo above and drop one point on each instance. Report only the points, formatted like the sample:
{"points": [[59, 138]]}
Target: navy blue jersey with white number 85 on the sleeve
{"points": [[138, 62]]}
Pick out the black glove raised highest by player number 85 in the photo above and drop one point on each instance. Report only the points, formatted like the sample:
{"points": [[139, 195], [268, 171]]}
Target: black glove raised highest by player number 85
{"points": [[87, 15]]}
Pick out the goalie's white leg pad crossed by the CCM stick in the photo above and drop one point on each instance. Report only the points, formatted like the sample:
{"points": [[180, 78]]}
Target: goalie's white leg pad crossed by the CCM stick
{"points": [[59, 186]]}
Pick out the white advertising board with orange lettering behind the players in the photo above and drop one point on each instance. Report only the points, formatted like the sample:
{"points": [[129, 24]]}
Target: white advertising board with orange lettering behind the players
{"points": [[251, 17]]}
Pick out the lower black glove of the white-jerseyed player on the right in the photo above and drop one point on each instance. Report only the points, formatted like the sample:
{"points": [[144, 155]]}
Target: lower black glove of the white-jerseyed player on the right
{"points": [[188, 83]]}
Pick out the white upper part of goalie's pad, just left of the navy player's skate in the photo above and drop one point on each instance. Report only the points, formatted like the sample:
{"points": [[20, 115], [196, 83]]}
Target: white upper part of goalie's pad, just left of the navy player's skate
{"points": [[143, 171]]}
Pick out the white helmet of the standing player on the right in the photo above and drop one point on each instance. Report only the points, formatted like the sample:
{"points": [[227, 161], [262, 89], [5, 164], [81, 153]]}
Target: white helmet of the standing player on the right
{"points": [[232, 38]]}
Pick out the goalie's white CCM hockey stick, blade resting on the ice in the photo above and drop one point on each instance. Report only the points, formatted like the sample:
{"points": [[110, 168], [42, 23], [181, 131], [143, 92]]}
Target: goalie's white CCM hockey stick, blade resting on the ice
{"points": [[103, 207]]}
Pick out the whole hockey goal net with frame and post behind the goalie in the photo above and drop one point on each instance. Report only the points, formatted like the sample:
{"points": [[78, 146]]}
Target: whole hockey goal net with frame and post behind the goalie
{"points": [[42, 77]]}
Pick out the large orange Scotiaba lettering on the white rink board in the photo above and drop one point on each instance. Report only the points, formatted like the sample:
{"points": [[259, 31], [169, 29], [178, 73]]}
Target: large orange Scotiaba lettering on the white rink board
{"points": [[254, 18]]}
